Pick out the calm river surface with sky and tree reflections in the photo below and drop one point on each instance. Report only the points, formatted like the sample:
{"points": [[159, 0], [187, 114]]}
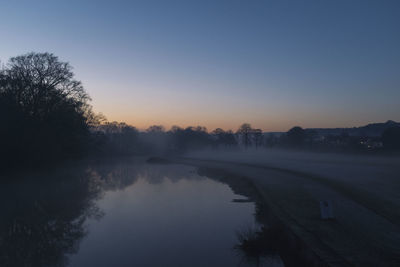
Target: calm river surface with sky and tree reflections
{"points": [[125, 213]]}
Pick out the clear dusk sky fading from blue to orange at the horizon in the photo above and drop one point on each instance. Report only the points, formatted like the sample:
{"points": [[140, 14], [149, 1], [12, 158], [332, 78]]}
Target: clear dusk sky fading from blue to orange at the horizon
{"points": [[274, 64]]}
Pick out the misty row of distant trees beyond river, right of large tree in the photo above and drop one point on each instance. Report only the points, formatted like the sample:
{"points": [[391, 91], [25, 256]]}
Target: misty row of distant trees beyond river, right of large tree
{"points": [[120, 138]]}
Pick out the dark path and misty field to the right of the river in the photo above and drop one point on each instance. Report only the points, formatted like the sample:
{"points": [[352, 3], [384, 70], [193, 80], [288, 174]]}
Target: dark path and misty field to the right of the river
{"points": [[365, 231]]}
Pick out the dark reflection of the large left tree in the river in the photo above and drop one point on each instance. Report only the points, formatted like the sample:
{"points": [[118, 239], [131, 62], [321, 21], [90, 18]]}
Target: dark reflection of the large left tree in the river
{"points": [[42, 216]]}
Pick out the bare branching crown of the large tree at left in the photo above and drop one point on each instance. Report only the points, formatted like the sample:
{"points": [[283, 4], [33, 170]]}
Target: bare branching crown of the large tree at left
{"points": [[39, 83]]}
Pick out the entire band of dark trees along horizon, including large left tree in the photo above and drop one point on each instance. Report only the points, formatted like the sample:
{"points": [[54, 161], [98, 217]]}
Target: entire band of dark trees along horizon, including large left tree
{"points": [[45, 116]]}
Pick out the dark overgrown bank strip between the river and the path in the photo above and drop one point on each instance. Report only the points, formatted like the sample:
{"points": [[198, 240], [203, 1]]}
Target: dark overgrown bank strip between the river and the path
{"points": [[276, 236]]}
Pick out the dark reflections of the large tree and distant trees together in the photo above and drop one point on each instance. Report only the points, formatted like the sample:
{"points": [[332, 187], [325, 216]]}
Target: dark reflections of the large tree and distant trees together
{"points": [[43, 213]]}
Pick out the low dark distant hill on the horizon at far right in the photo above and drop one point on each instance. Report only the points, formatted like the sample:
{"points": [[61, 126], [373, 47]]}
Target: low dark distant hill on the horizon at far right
{"points": [[372, 129]]}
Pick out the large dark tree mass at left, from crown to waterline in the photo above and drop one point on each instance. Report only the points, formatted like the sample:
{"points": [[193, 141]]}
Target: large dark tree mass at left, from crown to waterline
{"points": [[44, 111]]}
